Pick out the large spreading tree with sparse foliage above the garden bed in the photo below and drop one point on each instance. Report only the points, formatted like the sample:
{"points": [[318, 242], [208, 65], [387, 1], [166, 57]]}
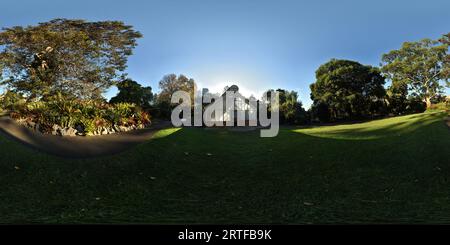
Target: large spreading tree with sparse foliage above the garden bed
{"points": [[73, 57]]}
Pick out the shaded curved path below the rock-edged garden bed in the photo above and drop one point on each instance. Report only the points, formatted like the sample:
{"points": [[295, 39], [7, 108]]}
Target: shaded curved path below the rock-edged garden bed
{"points": [[78, 147]]}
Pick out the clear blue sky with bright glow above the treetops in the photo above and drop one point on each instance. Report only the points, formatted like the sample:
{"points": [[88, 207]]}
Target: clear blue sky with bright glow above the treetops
{"points": [[256, 45]]}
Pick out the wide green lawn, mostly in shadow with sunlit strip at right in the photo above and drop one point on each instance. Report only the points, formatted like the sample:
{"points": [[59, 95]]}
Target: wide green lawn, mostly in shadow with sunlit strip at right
{"points": [[394, 170]]}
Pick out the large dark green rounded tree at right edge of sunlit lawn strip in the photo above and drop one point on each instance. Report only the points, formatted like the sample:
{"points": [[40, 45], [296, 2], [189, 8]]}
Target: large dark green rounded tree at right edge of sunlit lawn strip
{"points": [[347, 89]]}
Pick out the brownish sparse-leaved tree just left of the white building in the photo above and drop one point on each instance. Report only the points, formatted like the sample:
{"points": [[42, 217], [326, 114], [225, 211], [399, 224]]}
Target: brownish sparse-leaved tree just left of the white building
{"points": [[169, 84]]}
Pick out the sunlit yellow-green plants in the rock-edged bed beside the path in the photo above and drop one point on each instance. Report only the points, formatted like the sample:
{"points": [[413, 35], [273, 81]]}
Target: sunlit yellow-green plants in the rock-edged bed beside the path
{"points": [[87, 116]]}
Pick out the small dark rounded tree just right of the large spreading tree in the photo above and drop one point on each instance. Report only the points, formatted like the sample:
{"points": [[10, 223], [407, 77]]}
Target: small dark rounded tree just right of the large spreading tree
{"points": [[132, 92]]}
